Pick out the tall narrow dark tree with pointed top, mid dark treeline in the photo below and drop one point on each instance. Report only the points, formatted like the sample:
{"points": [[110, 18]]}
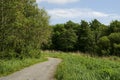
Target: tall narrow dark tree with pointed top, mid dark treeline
{"points": [[84, 37]]}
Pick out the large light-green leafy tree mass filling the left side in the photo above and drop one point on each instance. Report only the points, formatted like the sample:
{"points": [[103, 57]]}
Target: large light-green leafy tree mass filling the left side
{"points": [[24, 28]]}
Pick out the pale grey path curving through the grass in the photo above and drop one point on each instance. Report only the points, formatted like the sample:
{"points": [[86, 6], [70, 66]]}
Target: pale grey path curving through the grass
{"points": [[41, 71]]}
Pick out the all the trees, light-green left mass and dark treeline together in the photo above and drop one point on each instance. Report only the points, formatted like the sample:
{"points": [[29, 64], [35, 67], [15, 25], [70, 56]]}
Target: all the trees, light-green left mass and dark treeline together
{"points": [[25, 29]]}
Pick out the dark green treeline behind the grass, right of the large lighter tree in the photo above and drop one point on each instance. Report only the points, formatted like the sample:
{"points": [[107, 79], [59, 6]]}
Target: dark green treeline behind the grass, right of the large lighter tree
{"points": [[93, 37]]}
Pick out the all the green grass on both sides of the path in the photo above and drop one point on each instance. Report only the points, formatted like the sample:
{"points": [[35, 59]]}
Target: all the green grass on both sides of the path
{"points": [[73, 66]]}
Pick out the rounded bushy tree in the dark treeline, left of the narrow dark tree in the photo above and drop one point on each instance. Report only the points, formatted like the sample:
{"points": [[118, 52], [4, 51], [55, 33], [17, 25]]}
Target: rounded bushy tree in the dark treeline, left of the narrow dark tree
{"points": [[67, 40]]}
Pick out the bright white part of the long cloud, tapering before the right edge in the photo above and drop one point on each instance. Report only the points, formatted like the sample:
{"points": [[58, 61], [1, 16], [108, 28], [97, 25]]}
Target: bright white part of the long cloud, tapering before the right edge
{"points": [[75, 13]]}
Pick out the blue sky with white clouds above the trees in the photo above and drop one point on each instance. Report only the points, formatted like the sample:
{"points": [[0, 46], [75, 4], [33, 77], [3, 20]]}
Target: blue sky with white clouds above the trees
{"points": [[61, 11]]}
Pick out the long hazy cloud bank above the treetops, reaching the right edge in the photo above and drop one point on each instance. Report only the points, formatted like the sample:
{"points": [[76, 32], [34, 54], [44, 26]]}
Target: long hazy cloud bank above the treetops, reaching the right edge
{"points": [[80, 13]]}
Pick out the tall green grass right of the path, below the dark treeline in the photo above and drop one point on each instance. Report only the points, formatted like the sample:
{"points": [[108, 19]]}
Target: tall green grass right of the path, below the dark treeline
{"points": [[79, 67]]}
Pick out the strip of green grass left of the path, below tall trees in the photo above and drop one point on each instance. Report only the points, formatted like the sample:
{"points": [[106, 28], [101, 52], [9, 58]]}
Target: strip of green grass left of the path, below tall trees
{"points": [[10, 66]]}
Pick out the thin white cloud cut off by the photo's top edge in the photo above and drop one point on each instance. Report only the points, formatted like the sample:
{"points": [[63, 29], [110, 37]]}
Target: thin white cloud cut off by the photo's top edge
{"points": [[57, 1]]}
